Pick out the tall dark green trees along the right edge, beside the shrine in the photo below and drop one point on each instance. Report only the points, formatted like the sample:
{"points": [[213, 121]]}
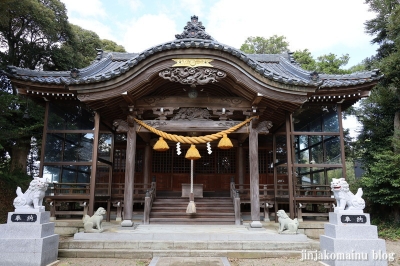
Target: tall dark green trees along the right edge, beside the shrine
{"points": [[380, 113]]}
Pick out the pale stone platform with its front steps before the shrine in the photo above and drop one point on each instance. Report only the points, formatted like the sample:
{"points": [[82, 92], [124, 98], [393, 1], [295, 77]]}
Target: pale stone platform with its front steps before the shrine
{"points": [[148, 241]]}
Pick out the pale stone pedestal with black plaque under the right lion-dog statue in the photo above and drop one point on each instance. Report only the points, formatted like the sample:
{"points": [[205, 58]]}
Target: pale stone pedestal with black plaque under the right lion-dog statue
{"points": [[350, 239]]}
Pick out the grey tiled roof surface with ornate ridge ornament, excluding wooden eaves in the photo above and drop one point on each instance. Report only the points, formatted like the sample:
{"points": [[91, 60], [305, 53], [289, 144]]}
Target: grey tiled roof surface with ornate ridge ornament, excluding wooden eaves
{"points": [[278, 67]]}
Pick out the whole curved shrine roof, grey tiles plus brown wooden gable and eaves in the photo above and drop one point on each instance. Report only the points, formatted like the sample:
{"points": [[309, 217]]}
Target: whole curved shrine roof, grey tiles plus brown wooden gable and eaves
{"points": [[273, 80]]}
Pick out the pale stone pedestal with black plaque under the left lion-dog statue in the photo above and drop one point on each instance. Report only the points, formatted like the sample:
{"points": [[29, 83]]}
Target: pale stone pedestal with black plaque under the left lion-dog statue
{"points": [[28, 239]]}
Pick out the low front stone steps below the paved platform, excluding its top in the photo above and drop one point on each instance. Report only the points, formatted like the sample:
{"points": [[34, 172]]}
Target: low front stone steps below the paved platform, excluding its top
{"points": [[140, 249]]}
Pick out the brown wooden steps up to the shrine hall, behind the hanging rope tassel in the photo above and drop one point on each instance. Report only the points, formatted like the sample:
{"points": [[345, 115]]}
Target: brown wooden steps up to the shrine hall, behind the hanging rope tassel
{"points": [[210, 210]]}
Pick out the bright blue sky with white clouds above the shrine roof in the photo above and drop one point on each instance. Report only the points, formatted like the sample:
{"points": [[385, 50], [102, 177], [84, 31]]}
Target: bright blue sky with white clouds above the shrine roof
{"points": [[321, 26]]}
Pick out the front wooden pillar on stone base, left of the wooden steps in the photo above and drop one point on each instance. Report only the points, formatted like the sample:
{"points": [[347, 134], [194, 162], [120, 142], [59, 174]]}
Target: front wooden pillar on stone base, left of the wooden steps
{"points": [[129, 173]]}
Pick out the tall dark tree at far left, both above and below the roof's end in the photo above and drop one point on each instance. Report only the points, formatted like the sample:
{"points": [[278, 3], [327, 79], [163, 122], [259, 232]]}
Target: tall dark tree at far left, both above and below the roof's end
{"points": [[29, 31]]}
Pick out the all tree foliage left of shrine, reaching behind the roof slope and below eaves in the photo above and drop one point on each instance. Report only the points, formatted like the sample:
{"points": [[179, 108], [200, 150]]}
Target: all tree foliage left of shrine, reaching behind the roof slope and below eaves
{"points": [[36, 34]]}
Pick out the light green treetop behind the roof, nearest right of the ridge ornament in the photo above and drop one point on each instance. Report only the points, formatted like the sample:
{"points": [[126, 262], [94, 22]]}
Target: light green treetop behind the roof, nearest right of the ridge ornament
{"points": [[259, 45]]}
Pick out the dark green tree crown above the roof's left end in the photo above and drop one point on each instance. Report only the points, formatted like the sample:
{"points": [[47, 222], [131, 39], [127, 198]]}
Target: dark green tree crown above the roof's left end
{"points": [[30, 29]]}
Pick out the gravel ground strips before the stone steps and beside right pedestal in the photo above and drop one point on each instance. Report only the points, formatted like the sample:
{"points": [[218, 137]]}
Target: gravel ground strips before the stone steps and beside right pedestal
{"points": [[391, 247]]}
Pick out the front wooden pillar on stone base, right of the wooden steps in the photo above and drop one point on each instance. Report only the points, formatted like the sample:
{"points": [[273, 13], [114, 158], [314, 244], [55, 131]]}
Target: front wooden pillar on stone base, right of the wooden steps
{"points": [[254, 178]]}
